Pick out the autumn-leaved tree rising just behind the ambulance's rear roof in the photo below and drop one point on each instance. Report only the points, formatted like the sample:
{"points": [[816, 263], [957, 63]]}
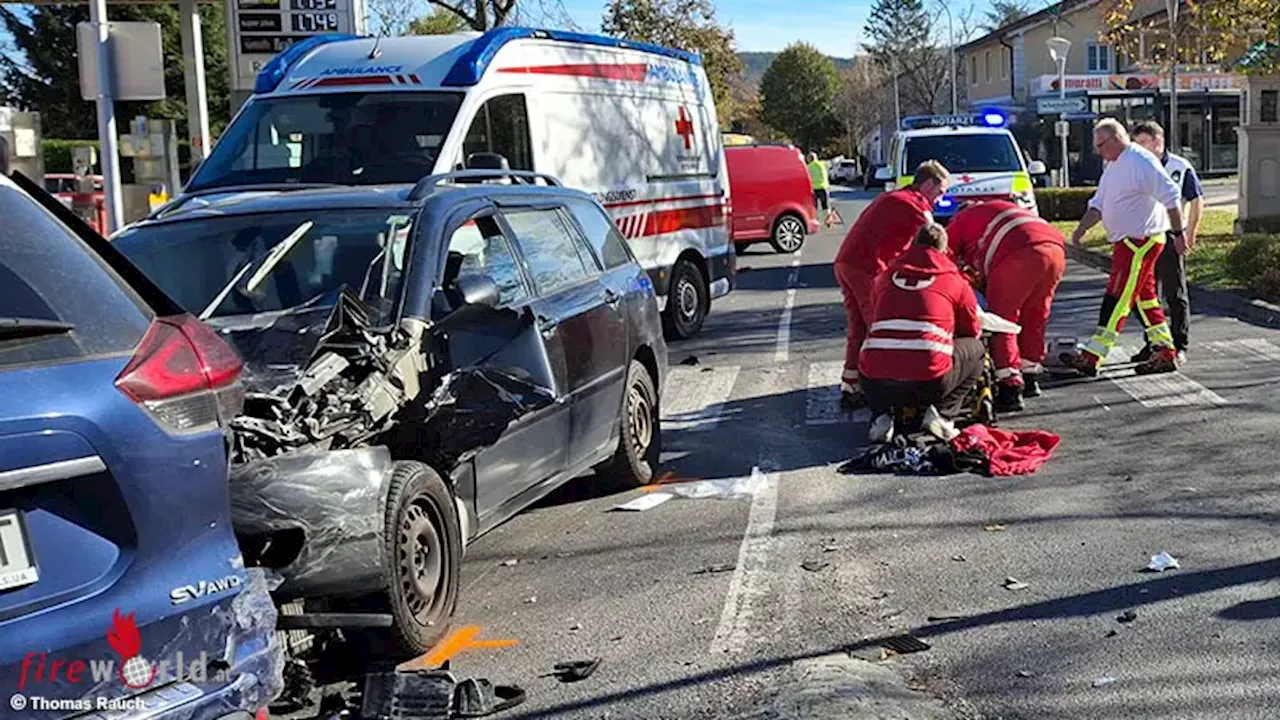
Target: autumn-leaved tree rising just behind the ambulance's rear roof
{"points": [[685, 25]]}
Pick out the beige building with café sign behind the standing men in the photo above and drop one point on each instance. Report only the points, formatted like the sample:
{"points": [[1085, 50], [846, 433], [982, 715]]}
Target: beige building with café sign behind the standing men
{"points": [[1012, 70]]}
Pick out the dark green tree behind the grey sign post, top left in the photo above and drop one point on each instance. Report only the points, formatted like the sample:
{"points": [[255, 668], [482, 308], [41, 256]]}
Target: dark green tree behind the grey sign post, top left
{"points": [[42, 75]]}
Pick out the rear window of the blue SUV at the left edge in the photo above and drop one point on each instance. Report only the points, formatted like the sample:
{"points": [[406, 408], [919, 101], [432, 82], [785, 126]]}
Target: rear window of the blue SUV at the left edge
{"points": [[51, 276]]}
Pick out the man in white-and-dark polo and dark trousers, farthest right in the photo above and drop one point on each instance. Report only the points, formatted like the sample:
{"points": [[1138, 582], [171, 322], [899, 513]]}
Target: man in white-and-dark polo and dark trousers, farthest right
{"points": [[1172, 266]]}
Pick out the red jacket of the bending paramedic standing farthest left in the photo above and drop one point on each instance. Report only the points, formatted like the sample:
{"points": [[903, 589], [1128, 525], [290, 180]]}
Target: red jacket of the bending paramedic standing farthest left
{"points": [[885, 231]]}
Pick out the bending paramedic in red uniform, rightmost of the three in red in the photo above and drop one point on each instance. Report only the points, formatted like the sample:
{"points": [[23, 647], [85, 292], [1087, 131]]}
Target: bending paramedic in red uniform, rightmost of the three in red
{"points": [[1018, 259]]}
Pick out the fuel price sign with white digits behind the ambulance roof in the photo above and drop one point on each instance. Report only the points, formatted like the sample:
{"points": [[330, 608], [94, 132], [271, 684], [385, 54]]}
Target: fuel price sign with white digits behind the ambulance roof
{"points": [[262, 29]]}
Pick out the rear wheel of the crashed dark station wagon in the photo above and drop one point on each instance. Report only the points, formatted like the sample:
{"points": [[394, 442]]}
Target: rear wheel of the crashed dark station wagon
{"points": [[636, 463]]}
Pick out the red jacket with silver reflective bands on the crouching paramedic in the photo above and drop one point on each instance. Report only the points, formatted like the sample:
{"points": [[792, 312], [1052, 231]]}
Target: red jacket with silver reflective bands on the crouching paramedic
{"points": [[922, 304]]}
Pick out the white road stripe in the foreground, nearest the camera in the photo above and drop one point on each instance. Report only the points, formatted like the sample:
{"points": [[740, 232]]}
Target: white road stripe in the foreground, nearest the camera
{"points": [[751, 577]]}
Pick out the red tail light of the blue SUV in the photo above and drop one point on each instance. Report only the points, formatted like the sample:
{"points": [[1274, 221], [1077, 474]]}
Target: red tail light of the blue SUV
{"points": [[185, 376]]}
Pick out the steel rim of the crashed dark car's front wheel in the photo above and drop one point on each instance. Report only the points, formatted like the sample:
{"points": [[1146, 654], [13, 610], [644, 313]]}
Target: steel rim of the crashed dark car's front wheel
{"points": [[422, 559]]}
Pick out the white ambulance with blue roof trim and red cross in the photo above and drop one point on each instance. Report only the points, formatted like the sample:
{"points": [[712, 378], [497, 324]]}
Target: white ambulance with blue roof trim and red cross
{"points": [[632, 124]]}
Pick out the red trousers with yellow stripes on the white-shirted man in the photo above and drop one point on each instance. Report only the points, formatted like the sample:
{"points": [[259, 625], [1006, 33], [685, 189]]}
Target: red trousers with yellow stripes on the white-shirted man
{"points": [[1133, 282]]}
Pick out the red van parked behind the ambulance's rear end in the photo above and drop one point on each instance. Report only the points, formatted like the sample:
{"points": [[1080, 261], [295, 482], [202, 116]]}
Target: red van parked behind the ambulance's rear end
{"points": [[772, 197]]}
